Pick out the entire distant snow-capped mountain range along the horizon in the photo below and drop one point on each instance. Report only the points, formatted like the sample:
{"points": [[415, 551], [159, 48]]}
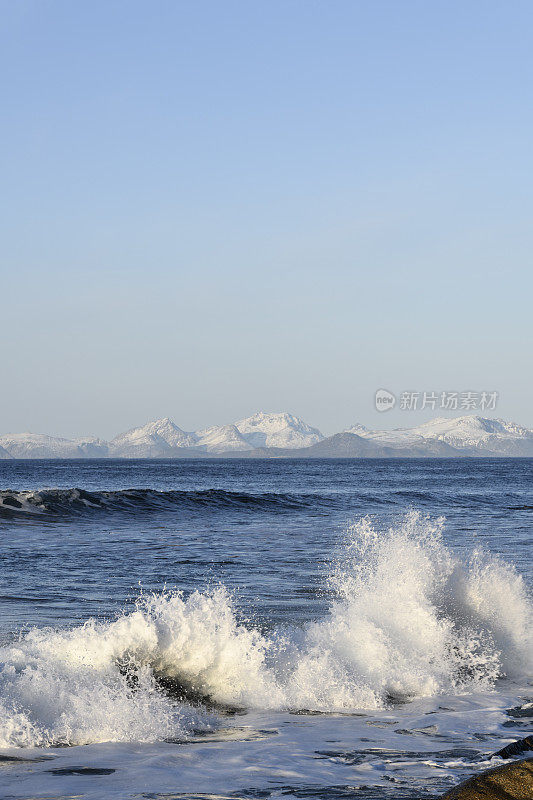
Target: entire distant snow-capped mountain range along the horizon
{"points": [[283, 435]]}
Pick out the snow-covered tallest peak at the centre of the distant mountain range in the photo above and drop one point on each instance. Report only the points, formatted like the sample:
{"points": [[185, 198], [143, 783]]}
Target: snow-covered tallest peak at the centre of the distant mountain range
{"points": [[277, 430]]}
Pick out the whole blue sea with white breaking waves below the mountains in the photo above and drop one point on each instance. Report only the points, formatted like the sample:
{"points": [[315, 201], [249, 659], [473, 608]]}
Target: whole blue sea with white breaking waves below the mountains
{"points": [[261, 628]]}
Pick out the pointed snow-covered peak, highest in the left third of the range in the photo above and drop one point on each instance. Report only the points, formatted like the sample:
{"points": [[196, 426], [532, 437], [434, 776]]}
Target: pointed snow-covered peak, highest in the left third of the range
{"points": [[151, 440]]}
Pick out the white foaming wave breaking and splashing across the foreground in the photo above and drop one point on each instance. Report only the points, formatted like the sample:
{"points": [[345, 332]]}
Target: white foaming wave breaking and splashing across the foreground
{"points": [[409, 619]]}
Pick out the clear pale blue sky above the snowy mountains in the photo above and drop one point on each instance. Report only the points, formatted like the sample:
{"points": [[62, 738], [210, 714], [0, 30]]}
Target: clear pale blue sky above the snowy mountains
{"points": [[212, 208]]}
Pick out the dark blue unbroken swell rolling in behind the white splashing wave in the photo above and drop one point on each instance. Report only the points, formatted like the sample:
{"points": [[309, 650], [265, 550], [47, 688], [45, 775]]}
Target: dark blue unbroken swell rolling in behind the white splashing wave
{"points": [[74, 502]]}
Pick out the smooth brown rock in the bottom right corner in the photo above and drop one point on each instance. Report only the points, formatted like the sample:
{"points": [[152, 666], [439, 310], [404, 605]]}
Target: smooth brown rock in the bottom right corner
{"points": [[509, 782]]}
